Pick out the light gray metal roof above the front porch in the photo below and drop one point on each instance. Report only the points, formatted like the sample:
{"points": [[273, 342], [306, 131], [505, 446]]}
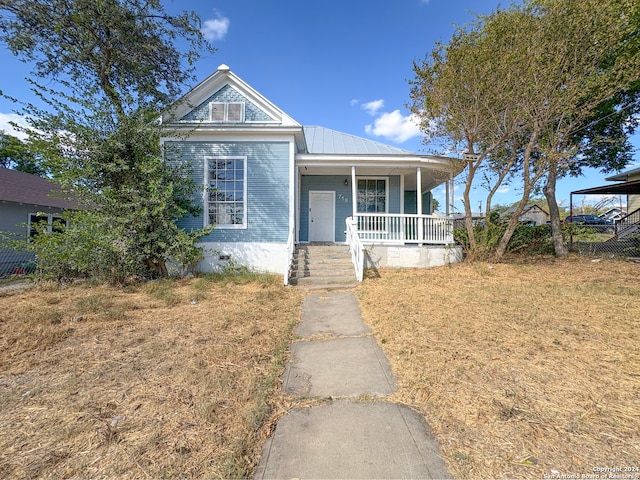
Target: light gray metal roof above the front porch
{"points": [[322, 140]]}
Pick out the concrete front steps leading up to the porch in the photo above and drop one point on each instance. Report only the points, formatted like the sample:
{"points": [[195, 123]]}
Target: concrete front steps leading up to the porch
{"points": [[323, 266]]}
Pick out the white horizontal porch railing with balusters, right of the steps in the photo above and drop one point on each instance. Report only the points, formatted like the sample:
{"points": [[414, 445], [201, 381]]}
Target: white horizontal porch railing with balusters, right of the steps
{"points": [[401, 229]]}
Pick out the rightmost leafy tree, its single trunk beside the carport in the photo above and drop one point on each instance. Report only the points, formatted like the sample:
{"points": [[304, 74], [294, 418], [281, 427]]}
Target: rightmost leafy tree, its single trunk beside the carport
{"points": [[589, 61]]}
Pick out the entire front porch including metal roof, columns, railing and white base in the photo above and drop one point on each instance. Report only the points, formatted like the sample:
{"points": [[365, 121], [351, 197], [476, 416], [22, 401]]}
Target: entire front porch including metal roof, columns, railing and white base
{"points": [[376, 199]]}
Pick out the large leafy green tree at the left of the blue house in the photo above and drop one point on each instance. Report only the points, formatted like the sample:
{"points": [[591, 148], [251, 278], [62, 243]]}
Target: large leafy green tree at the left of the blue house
{"points": [[116, 67]]}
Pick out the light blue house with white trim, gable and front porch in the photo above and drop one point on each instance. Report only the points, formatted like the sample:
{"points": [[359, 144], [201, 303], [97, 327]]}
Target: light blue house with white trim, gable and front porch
{"points": [[271, 184]]}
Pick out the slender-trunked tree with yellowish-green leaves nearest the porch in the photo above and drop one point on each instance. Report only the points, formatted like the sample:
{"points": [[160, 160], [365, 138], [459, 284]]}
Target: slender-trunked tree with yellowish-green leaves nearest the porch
{"points": [[469, 92]]}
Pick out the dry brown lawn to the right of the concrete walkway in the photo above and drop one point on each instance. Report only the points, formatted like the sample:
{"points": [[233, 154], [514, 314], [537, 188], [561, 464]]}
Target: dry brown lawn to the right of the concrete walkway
{"points": [[521, 369]]}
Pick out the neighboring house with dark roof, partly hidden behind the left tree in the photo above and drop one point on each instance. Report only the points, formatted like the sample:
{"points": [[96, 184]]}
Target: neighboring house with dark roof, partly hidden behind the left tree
{"points": [[24, 200]]}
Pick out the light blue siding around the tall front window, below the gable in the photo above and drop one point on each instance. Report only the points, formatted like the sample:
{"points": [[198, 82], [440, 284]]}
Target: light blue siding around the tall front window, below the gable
{"points": [[267, 187]]}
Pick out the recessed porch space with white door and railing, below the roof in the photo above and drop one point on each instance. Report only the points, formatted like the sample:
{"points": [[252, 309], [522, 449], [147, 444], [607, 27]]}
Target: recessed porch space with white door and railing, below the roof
{"points": [[393, 207]]}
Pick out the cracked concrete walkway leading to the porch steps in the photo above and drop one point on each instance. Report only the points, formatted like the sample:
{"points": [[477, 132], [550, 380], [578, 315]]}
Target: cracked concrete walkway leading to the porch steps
{"points": [[344, 436]]}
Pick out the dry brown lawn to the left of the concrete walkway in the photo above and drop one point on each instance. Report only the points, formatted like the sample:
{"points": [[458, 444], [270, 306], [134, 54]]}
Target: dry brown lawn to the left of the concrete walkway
{"points": [[174, 379]]}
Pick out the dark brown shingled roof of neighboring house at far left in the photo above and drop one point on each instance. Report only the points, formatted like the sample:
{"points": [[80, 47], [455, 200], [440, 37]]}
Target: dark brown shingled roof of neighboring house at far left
{"points": [[20, 187]]}
